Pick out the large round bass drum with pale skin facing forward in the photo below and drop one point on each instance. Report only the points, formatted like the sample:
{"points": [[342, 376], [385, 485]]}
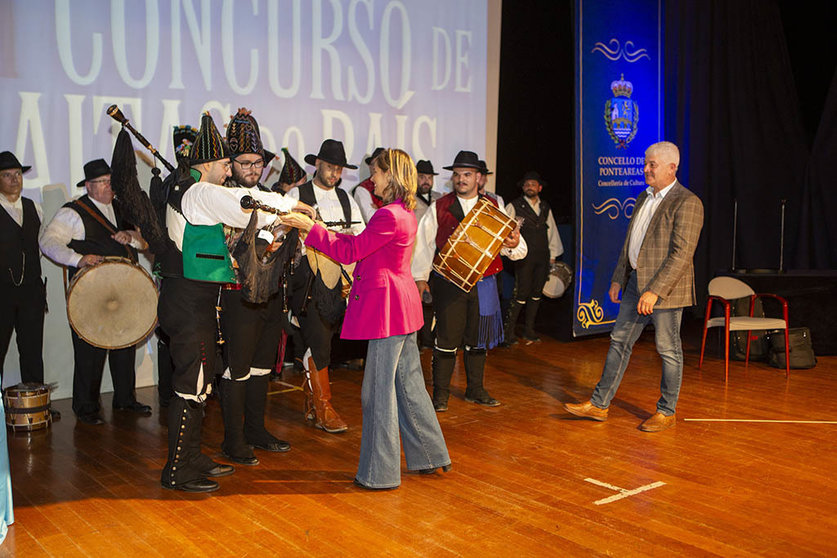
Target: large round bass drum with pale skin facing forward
{"points": [[112, 305]]}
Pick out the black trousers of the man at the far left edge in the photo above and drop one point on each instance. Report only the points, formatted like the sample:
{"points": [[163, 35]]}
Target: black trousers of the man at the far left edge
{"points": [[22, 310]]}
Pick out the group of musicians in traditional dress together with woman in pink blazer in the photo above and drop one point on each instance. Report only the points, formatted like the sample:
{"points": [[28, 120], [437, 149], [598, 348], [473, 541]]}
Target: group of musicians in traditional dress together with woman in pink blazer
{"points": [[241, 262]]}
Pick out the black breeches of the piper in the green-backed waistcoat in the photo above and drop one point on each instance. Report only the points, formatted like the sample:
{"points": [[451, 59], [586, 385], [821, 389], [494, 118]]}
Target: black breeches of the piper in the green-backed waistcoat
{"points": [[186, 310]]}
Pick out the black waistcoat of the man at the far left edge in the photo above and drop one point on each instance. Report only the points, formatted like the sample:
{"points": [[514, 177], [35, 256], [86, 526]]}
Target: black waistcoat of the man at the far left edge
{"points": [[18, 245]]}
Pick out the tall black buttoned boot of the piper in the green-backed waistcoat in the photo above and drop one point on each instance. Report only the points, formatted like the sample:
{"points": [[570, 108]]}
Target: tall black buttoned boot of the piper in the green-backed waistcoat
{"points": [[183, 469]]}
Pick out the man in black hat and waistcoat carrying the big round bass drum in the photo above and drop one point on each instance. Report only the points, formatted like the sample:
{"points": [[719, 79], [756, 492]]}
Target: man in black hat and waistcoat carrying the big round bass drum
{"points": [[82, 234]]}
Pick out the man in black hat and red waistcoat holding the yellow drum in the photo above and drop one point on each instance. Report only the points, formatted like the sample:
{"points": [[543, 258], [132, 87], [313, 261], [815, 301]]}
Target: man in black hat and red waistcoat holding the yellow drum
{"points": [[460, 316]]}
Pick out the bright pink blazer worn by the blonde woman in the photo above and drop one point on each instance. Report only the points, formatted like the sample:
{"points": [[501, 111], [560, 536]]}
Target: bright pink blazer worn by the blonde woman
{"points": [[384, 300]]}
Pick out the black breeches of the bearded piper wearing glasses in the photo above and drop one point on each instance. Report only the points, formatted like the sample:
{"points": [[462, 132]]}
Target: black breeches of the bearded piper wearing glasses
{"points": [[251, 332]]}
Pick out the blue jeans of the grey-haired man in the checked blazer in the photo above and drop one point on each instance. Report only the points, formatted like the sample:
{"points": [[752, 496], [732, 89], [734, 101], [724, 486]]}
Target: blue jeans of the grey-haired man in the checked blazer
{"points": [[629, 325]]}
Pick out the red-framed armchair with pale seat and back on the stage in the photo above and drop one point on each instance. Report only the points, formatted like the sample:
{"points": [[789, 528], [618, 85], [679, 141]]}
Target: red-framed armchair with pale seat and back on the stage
{"points": [[724, 289]]}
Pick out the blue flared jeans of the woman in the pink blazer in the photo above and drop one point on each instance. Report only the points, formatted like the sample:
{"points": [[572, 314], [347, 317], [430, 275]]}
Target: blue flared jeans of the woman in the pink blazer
{"points": [[395, 401]]}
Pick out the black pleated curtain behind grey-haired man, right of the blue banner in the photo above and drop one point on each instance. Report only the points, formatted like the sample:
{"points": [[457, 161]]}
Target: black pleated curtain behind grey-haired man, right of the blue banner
{"points": [[731, 106]]}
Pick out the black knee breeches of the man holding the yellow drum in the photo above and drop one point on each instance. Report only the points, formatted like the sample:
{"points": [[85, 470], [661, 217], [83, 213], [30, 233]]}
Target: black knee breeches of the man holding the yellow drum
{"points": [[457, 314]]}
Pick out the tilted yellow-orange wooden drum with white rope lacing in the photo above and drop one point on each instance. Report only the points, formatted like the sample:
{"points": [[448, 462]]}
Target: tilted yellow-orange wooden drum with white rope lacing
{"points": [[473, 245]]}
